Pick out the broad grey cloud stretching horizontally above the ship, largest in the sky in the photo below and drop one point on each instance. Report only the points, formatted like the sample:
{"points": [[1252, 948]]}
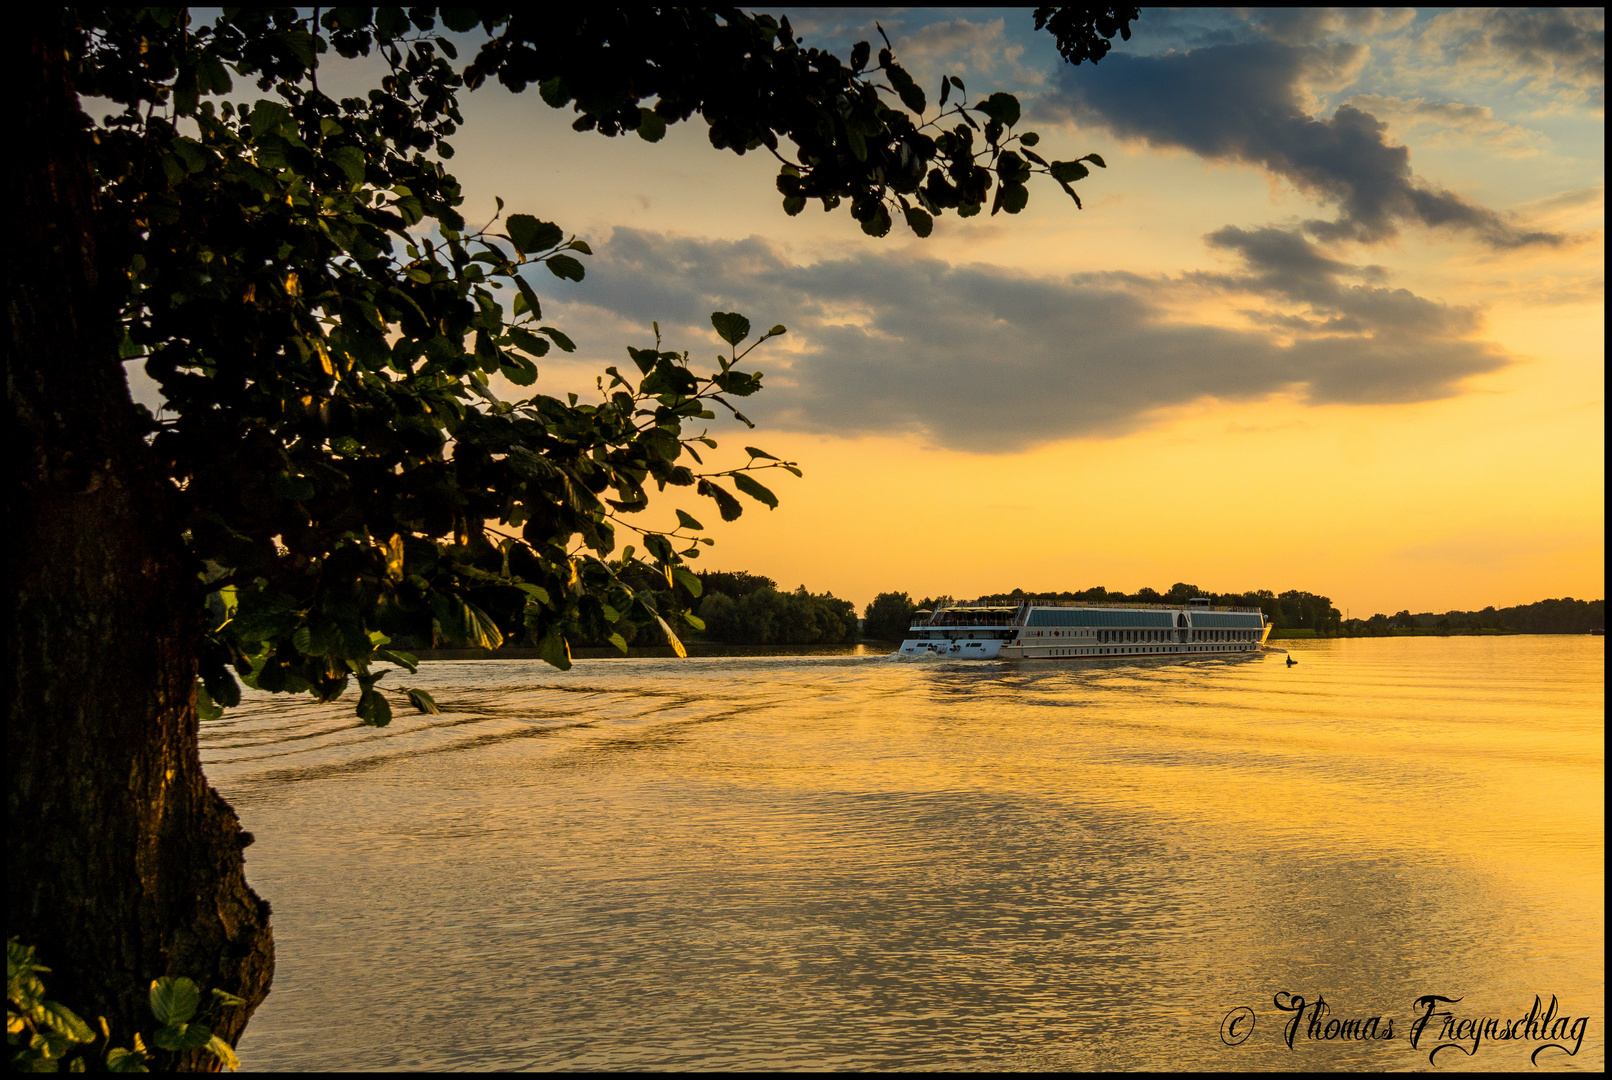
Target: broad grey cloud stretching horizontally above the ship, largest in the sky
{"points": [[986, 360]]}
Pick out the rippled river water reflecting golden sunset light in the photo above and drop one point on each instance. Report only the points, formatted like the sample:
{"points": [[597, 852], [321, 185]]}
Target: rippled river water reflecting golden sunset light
{"points": [[887, 863]]}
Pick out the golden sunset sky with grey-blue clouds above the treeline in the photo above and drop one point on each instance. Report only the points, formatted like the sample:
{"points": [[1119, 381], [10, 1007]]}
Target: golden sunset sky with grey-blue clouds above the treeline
{"points": [[1331, 320]]}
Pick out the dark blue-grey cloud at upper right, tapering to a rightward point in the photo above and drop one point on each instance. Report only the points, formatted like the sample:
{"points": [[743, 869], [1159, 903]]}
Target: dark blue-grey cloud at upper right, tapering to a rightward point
{"points": [[1244, 102]]}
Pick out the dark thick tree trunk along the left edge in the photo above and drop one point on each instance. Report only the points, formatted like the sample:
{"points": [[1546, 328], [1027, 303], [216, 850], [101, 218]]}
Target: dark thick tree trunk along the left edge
{"points": [[122, 862]]}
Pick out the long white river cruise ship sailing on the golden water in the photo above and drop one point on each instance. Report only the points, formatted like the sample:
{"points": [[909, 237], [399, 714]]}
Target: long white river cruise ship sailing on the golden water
{"points": [[1041, 629]]}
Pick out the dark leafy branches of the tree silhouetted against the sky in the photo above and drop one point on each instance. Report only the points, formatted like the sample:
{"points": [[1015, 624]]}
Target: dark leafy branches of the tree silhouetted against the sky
{"points": [[323, 322]]}
